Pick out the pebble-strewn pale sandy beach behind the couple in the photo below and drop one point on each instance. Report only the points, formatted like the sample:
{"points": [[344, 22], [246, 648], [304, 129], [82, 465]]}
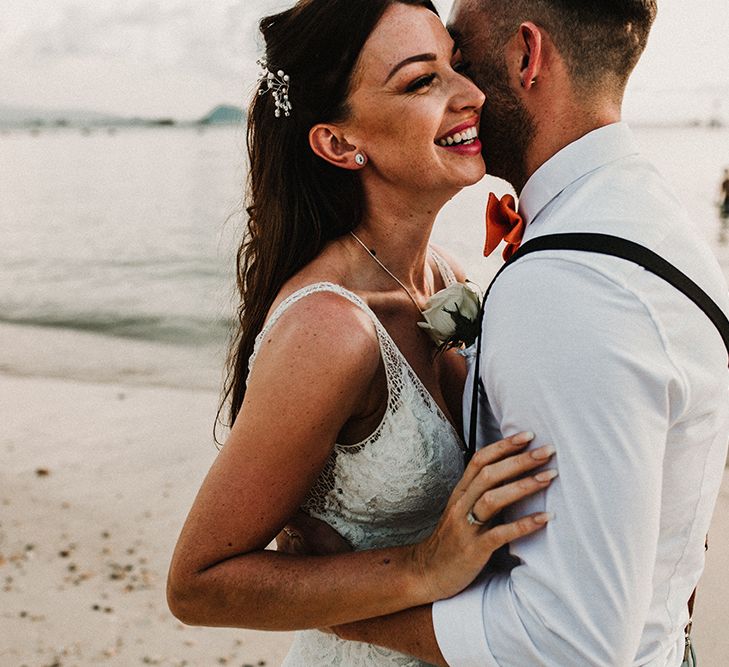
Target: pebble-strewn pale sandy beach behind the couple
{"points": [[96, 479]]}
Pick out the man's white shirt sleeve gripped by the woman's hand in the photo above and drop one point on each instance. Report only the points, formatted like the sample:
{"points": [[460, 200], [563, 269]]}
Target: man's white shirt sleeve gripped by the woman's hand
{"points": [[579, 360]]}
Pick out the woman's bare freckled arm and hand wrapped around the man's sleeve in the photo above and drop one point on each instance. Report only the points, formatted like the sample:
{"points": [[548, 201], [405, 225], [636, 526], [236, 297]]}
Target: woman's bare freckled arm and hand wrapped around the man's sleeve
{"points": [[309, 379]]}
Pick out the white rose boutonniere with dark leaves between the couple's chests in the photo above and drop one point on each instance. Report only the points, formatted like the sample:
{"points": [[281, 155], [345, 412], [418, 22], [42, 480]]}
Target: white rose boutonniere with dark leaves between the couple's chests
{"points": [[452, 316]]}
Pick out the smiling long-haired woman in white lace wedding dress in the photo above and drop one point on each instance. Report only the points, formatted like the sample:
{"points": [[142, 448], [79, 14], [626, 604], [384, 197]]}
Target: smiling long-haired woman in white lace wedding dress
{"points": [[364, 127]]}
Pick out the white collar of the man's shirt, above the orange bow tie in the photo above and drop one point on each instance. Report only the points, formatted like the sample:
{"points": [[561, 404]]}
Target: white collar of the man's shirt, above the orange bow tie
{"points": [[594, 150]]}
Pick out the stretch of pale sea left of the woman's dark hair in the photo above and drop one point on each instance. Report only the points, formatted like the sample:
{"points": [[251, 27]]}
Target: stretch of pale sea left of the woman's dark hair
{"points": [[128, 234]]}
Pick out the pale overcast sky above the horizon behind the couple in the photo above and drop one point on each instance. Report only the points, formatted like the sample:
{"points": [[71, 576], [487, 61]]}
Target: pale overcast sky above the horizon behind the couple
{"points": [[181, 57]]}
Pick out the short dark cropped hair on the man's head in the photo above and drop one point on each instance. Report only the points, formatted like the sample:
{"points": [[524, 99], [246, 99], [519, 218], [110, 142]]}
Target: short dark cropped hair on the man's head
{"points": [[599, 39]]}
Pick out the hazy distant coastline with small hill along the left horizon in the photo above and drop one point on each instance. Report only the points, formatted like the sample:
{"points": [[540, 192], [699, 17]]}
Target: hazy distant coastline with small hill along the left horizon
{"points": [[39, 119]]}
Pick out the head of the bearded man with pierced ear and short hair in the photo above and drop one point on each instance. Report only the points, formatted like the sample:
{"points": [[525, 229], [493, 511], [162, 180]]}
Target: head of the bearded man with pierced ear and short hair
{"points": [[541, 62]]}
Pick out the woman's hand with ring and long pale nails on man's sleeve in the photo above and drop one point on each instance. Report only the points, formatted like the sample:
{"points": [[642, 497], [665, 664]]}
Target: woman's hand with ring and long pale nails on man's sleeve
{"points": [[454, 555]]}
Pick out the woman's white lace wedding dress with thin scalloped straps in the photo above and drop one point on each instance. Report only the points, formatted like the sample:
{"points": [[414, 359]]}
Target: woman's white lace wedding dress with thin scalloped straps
{"points": [[390, 489]]}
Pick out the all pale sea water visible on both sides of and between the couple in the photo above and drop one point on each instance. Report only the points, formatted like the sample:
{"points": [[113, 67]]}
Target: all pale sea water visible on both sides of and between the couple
{"points": [[132, 235]]}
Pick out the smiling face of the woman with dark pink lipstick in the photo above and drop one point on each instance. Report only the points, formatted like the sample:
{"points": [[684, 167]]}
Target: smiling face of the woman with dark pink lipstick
{"points": [[414, 113]]}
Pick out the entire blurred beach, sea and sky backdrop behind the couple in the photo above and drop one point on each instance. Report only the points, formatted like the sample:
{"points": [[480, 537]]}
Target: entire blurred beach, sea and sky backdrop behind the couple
{"points": [[122, 167]]}
